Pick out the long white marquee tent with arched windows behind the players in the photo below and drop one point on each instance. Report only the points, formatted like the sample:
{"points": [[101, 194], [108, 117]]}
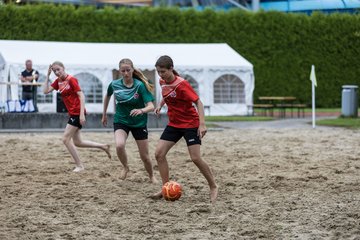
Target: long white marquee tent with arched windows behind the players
{"points": [[221, 76]]}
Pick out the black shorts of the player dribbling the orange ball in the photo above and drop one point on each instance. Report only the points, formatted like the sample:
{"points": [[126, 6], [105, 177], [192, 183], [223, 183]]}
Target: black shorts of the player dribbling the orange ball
{"points": [[174, 134]]}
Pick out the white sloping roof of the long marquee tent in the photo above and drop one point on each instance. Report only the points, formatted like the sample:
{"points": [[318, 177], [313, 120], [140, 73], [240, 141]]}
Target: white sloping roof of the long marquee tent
{"points": [[219, 55]]}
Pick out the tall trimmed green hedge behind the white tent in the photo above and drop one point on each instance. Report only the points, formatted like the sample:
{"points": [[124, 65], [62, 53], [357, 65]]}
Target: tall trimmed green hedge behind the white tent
{"points": [[281, 46]]}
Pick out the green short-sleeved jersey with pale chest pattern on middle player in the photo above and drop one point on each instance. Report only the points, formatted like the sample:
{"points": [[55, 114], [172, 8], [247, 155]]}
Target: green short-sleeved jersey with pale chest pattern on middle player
{"points": [[127, 99]]}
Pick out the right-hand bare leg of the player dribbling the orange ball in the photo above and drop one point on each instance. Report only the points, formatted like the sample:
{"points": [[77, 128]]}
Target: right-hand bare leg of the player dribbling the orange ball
{"points": [[194, 151]]}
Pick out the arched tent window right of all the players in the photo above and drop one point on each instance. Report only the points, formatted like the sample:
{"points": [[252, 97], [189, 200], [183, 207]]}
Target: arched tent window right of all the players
{"points": [[229, 88]]}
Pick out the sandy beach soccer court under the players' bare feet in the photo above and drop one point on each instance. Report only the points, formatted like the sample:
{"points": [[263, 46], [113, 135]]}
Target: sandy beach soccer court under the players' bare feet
{"points": [[274, 184]]}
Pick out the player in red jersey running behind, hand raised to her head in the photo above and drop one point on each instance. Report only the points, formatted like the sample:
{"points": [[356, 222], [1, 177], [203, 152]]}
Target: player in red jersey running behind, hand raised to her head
{"points": [[74, 101]]}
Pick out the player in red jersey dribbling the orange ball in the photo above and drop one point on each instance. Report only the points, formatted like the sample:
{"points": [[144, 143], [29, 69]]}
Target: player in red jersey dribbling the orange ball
{"points": [[184, 121]]}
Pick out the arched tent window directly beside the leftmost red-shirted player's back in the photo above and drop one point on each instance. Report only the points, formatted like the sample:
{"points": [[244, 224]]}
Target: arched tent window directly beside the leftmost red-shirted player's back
{"points": [[91, 87]]}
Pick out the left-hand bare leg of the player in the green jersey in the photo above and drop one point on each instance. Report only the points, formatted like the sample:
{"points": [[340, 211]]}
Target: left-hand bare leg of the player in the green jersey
{"points": [[120, 142]]}
